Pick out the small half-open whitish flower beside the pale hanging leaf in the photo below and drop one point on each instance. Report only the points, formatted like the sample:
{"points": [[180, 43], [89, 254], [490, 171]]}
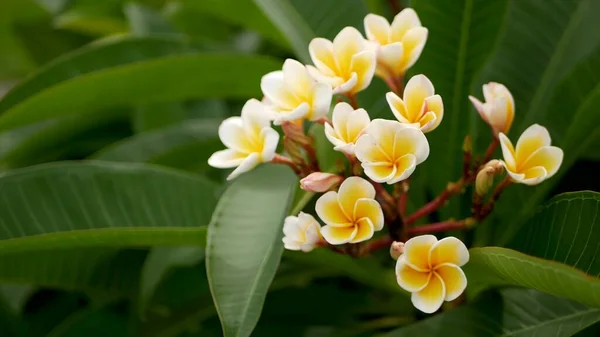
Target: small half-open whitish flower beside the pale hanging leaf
{"points": [[301, 232]]}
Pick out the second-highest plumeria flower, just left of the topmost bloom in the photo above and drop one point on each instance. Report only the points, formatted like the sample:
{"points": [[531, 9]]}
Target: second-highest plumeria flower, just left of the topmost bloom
{"points": [[347, 64]]}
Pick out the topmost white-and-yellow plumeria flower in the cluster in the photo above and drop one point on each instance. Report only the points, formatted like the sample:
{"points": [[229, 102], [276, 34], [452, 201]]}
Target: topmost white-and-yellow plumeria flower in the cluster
{"points": [[398, 45]]}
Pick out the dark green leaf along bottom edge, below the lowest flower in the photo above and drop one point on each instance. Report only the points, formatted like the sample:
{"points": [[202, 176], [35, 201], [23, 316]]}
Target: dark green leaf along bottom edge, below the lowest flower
{"points": [[514, 312]]}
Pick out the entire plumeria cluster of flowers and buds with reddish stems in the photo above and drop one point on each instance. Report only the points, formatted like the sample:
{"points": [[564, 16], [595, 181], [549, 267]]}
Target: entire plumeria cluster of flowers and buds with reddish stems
{"points": [[355, 203]]}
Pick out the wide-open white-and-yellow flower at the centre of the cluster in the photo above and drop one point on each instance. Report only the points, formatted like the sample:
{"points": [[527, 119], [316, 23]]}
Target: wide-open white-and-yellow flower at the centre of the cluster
{"points": [[390, 151]]}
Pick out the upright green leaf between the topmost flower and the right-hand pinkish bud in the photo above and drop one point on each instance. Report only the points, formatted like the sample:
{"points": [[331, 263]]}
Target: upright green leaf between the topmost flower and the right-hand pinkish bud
{"points": [[461, 37]]}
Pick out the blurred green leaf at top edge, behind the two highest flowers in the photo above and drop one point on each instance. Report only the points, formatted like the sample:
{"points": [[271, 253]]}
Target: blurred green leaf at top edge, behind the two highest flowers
{"points": [[302, 20]]}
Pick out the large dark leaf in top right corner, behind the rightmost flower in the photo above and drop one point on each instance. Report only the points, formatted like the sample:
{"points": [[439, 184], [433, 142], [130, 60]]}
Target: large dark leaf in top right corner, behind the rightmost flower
{"points": [[552, 70]]}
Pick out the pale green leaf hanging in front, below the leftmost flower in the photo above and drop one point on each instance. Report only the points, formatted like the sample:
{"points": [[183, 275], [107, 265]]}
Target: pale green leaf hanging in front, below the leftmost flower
{"points": [[244, 245]]}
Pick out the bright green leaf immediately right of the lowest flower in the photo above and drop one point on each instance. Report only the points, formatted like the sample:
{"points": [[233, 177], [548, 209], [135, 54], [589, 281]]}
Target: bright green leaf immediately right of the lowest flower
{"points": [[500, 266]]}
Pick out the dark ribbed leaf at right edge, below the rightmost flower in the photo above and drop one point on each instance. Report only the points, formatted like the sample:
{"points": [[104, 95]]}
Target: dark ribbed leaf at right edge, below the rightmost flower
{"points": [[565, 229]]}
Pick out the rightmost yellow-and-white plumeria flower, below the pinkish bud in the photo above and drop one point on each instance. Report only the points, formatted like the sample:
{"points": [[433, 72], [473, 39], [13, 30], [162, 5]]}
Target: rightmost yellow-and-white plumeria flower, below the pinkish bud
{"points": [[533, 160]]}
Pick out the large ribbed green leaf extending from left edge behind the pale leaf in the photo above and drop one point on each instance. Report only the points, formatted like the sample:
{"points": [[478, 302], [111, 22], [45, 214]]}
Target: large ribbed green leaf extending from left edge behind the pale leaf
{"points": [[63, 224]]}
